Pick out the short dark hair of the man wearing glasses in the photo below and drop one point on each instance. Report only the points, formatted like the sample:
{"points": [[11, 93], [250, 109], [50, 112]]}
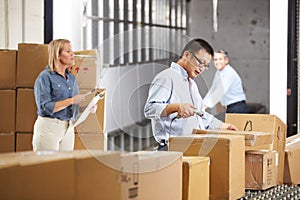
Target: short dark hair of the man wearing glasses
{"points": [[196, 44]]}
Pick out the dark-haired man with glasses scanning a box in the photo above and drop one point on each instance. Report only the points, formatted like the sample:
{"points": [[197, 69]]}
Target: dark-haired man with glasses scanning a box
{"points": [[174, 97]]}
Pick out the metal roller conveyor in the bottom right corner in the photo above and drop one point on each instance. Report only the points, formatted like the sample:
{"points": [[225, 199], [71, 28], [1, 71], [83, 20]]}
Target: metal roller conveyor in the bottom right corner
{"points": [[283, 192]]}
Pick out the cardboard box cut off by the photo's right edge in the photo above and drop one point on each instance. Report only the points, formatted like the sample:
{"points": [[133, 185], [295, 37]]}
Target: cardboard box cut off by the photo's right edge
{"points": [[292, 160]]}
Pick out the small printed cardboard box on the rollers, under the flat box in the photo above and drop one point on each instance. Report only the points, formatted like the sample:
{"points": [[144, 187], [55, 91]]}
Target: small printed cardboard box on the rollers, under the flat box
{"points": [[261, 169]]}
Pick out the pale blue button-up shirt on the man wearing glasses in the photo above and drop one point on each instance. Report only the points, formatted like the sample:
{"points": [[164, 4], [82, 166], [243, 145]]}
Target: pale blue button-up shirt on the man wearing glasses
{"points": [[172, 85]]}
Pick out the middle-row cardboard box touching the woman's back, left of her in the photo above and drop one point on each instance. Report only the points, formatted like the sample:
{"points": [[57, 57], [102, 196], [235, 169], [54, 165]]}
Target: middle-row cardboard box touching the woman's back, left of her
{"points": [[26, 112]]}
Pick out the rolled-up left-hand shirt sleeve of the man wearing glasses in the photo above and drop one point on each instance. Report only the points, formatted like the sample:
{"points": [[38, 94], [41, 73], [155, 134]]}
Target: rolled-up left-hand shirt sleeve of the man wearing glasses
{"points": [[158, 98]]}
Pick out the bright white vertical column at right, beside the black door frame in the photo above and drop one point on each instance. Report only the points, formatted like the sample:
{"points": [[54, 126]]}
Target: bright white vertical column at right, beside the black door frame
{"points": [[278, 58]]}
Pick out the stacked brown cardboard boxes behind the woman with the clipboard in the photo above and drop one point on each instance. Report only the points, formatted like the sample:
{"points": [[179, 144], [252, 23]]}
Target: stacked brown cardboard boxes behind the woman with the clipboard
{"points": [[20, 69]]}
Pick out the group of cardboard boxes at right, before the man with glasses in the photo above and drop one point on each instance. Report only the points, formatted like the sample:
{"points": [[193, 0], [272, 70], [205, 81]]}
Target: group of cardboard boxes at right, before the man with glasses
{"points": [[250, 159]]}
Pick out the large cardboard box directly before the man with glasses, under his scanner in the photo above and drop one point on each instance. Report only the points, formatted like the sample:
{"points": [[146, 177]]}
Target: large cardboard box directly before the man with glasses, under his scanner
{"points": [[227, 161]]}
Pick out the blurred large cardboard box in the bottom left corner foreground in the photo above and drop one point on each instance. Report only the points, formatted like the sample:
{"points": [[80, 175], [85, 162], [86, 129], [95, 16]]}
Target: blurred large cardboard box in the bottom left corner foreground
{"points": [[36, 176]]}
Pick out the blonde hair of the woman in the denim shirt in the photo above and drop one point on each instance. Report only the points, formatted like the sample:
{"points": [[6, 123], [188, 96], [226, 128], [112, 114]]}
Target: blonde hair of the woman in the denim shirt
{"points": [[54, 49]]}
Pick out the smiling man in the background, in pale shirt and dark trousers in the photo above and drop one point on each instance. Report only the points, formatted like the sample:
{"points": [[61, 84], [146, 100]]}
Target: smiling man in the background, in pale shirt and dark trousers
{"points": [[227, 87]]}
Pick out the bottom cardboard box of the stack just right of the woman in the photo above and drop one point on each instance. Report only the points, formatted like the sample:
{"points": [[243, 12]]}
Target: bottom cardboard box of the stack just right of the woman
{"points": [[91, 141]]}
